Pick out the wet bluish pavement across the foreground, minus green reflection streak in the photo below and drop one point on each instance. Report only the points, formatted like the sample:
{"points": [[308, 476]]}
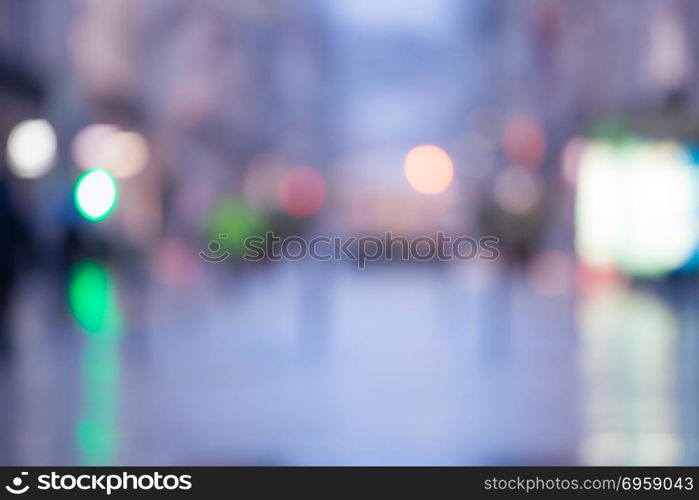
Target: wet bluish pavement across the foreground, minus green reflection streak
{"points": [[315, 363]]}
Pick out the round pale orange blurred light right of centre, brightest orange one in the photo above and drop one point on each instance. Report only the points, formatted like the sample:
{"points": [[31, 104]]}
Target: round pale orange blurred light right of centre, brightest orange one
{"points": [[428, 169]]}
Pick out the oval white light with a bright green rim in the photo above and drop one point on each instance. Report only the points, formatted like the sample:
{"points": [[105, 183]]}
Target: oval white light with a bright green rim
{"points": [[95, 194]]}
